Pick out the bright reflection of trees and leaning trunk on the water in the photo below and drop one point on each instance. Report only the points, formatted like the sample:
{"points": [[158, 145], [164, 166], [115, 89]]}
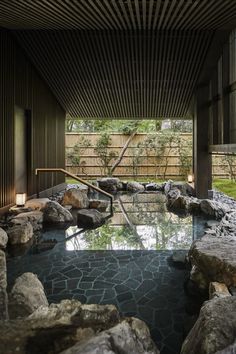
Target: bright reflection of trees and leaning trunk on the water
{"points": [[144, 230]]}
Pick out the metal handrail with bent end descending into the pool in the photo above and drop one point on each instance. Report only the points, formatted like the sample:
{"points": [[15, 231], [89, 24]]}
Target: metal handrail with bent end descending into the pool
{"points": [[37, 170]]}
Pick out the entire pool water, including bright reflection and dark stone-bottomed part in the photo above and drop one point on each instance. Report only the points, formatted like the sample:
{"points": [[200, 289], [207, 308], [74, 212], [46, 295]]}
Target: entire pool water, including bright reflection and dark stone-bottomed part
{"points": [[126, 262]]}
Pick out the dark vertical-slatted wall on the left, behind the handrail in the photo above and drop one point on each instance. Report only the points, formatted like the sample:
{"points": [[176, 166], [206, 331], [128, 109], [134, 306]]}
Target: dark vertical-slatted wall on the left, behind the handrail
{"points": [[20, 85]]}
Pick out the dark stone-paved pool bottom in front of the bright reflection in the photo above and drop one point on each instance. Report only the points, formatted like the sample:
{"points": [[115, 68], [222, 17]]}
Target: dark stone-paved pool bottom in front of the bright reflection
{"points": [[144, 284]]}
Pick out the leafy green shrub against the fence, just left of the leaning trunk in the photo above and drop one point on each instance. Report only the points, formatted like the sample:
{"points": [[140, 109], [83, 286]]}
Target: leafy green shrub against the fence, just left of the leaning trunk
{"points": [[105, 156]]}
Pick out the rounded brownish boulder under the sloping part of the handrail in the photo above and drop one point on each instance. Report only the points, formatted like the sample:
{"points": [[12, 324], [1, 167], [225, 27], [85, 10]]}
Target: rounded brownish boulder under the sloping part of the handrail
{"points": [[76, 198]]}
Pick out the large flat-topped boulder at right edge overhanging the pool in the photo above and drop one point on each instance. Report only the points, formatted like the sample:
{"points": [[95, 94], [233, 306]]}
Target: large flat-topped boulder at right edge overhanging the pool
{"points": [[214, 257]]}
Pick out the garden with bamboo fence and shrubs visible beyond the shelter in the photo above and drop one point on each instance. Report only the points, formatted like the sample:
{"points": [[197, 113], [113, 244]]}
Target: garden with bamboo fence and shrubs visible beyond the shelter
{"points": [[145, 150]]}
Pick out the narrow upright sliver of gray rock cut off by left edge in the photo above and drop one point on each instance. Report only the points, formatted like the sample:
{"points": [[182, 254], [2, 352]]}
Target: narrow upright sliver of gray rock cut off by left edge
{"points": [[3, 287]]}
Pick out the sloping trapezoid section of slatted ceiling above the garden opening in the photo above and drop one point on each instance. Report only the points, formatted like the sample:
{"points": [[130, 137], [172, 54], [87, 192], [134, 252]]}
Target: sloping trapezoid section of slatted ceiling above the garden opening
{"points": [[118, 74]]}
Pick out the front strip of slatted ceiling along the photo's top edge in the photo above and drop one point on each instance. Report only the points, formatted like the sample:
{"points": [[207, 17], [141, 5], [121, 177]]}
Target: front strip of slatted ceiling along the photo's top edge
{"points": [[116, 14]]}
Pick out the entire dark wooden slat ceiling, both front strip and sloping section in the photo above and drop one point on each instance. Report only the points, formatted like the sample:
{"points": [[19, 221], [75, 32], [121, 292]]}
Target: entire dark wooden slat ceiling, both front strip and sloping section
{"points": [[118, 58]]}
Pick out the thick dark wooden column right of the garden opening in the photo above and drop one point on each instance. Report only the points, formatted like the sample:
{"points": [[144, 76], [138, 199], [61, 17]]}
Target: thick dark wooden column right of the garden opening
{"points": [[202, 158]]}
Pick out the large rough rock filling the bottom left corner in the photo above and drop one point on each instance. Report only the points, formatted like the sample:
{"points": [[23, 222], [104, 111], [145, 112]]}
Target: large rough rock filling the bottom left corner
{"points": [[55, 328]]}
